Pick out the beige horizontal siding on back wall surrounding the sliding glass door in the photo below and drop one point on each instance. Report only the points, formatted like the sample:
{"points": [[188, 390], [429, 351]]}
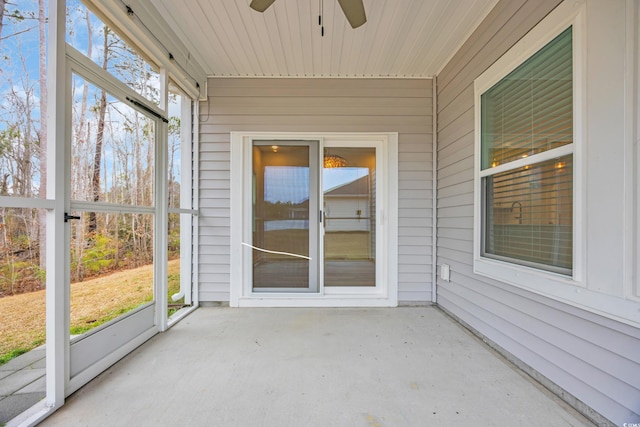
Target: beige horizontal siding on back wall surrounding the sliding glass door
{"points": [[319, 105]]}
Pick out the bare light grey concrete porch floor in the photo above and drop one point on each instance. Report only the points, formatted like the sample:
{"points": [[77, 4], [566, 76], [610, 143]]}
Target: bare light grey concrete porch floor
{"points": [[314, 367]]}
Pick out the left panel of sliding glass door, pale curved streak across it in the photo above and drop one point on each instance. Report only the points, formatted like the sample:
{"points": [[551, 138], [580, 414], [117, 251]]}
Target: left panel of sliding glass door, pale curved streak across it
{"points": [[285, 217]]}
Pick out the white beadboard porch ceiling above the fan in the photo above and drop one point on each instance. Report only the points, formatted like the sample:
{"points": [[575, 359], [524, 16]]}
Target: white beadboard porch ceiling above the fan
{"points": [[402, 38]]}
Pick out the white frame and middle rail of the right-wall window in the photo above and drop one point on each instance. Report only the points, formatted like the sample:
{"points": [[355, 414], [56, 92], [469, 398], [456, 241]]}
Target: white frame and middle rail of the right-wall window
{"points": [[568, 14]]}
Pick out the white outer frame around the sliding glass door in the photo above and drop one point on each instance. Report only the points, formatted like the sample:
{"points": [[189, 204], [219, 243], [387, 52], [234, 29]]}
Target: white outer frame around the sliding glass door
{"points": [[384, 295]]}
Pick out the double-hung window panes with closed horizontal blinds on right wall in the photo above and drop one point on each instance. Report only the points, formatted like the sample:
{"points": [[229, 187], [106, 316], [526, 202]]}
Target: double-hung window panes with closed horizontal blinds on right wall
{"points": [[526, 157]]}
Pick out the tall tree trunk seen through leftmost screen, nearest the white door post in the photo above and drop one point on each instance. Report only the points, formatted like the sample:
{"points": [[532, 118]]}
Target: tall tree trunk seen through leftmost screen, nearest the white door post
{"points": [[43, 131]]}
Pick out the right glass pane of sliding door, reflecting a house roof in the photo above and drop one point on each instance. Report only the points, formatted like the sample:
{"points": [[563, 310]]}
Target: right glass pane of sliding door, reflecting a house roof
{"points": [[349, 188]]}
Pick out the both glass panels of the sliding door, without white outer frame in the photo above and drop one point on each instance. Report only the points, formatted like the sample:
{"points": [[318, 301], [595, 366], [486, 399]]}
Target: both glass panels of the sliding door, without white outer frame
{"points": [[313, 217]]}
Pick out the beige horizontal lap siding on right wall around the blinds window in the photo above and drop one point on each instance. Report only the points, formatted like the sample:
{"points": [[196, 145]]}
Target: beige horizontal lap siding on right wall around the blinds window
{"points": [[595, 359]]}
